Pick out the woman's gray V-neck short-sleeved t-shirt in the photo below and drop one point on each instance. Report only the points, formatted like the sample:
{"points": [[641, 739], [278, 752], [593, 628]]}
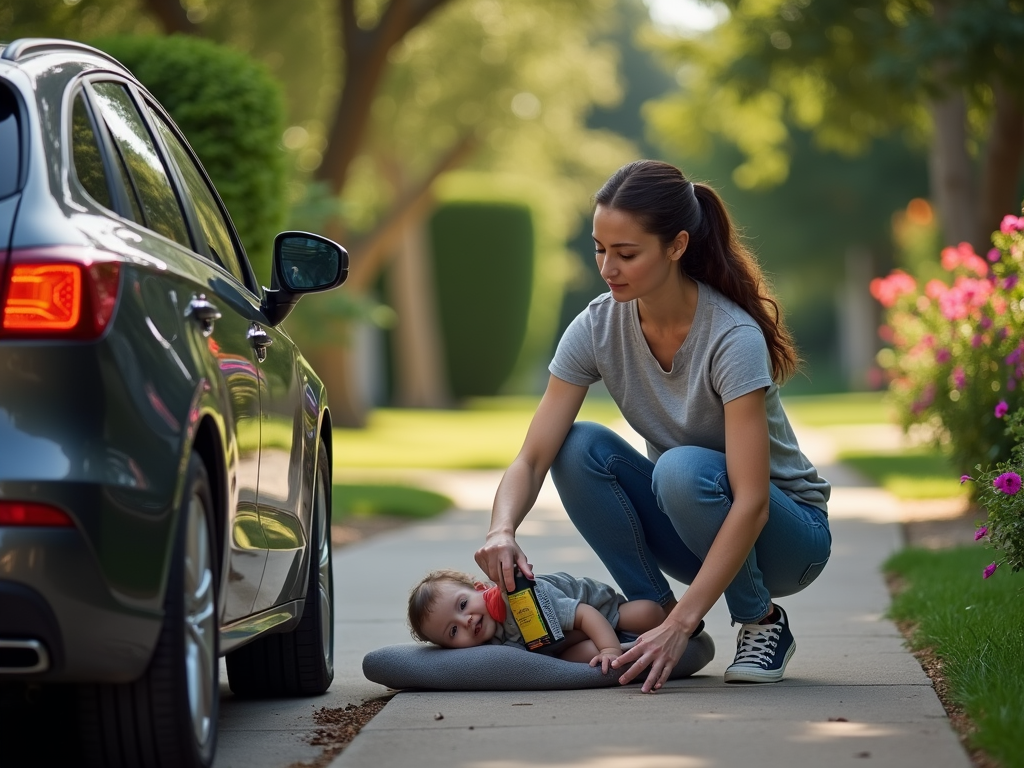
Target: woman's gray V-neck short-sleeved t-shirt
{"points": [[724, 357]]}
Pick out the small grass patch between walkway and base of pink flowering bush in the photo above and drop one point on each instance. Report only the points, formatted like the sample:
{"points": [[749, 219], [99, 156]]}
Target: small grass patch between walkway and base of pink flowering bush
{"points": [[917, 474]]}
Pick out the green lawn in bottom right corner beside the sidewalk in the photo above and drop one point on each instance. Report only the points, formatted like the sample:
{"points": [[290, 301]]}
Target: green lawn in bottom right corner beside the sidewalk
{"points": [[976, 627]]}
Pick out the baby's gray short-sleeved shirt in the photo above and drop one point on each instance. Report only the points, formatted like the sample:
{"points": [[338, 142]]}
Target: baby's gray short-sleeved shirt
{"points": [[562, 593]]}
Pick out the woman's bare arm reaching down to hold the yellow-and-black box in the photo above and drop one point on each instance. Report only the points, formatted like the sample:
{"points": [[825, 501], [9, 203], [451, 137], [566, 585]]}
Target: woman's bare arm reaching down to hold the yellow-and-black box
{"points": [[522, 483]]}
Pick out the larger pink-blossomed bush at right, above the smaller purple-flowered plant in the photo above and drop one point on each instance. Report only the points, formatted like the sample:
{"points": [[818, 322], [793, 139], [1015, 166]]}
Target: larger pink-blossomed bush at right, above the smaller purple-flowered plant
{"points": [[958, 347]]}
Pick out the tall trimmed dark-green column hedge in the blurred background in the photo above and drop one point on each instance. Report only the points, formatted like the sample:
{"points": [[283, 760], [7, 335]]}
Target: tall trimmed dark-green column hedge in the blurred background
{"points": [[484, 263]]}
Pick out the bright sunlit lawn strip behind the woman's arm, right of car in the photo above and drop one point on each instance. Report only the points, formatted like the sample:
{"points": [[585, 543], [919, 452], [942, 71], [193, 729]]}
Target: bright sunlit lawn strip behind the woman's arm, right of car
{"points": [[487, 435]]}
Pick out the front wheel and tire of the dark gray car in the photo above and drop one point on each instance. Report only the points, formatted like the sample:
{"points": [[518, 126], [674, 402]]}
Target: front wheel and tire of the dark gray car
{"points": [[300, 663]]}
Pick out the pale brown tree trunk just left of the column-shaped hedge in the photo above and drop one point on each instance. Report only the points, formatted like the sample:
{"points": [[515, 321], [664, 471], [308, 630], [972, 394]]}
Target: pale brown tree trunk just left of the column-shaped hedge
{"points": [[418, 349]]}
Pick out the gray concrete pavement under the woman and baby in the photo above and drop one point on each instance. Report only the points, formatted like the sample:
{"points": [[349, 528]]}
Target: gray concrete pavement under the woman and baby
{"points": [[854, 695]]}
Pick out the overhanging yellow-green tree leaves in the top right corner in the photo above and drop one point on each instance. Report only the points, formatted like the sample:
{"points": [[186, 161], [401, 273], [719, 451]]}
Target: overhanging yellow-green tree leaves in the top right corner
{"points": [[848, 72]]}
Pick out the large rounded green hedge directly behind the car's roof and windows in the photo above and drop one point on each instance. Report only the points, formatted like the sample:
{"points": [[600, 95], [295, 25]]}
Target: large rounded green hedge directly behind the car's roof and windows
{"points": [[231, 111]]}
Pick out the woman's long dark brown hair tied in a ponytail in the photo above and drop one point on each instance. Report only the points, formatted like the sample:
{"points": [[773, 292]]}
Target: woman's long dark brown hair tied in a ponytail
{"points": [[665, 203]]}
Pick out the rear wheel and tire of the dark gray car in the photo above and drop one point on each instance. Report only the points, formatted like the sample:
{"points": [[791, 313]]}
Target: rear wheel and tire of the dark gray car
{"points": [[168, 716]]}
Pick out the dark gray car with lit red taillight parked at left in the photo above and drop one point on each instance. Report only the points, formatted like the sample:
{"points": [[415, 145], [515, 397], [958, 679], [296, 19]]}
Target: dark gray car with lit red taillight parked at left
{"points": [[165, 450]]}
